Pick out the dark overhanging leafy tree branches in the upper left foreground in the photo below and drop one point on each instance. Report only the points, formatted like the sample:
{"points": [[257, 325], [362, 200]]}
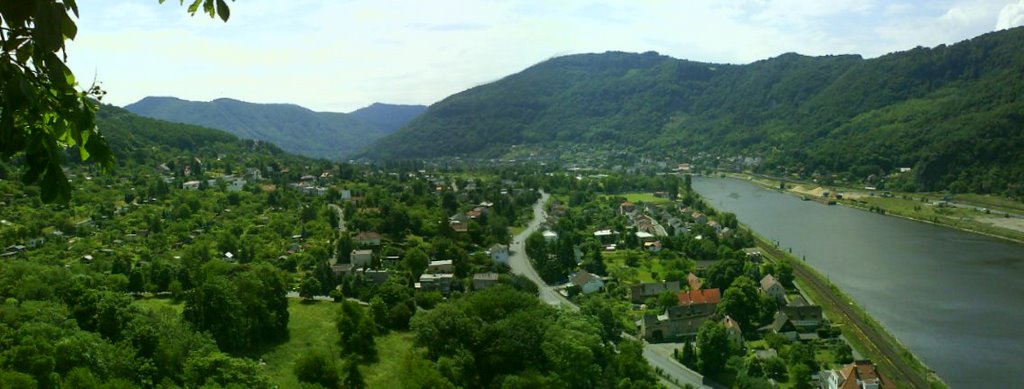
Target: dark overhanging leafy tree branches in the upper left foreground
{"points": [[42, 112]]}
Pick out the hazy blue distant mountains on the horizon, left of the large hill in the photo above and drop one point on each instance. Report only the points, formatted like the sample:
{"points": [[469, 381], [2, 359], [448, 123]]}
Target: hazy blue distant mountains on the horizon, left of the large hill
{"points": [[293, 128]]}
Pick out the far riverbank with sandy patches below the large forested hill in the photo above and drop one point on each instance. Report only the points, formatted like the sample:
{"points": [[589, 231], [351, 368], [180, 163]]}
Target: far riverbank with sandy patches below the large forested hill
{"points": [[992, 219]]}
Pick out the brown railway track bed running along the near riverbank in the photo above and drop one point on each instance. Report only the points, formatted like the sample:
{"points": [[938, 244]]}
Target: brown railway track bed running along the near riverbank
{"points": [[892, 362]]}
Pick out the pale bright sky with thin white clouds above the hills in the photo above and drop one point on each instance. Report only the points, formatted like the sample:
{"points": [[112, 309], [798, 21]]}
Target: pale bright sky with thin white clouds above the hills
{"points": [[339, 56]]}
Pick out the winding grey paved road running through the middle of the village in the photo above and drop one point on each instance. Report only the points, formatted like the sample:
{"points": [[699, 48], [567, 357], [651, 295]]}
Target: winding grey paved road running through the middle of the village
{"points": [[678, 375]]}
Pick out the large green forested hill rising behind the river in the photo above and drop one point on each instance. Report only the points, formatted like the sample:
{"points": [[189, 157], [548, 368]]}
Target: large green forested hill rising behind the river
{"points": [[952, 113]]}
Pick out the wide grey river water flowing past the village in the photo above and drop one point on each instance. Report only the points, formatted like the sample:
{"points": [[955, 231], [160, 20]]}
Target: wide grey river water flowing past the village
{"points": [[954, 298]]}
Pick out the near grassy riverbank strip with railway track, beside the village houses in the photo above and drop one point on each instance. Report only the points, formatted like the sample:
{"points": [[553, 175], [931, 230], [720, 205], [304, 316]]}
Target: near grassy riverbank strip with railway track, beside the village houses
{"points": [[861, 330]]}
